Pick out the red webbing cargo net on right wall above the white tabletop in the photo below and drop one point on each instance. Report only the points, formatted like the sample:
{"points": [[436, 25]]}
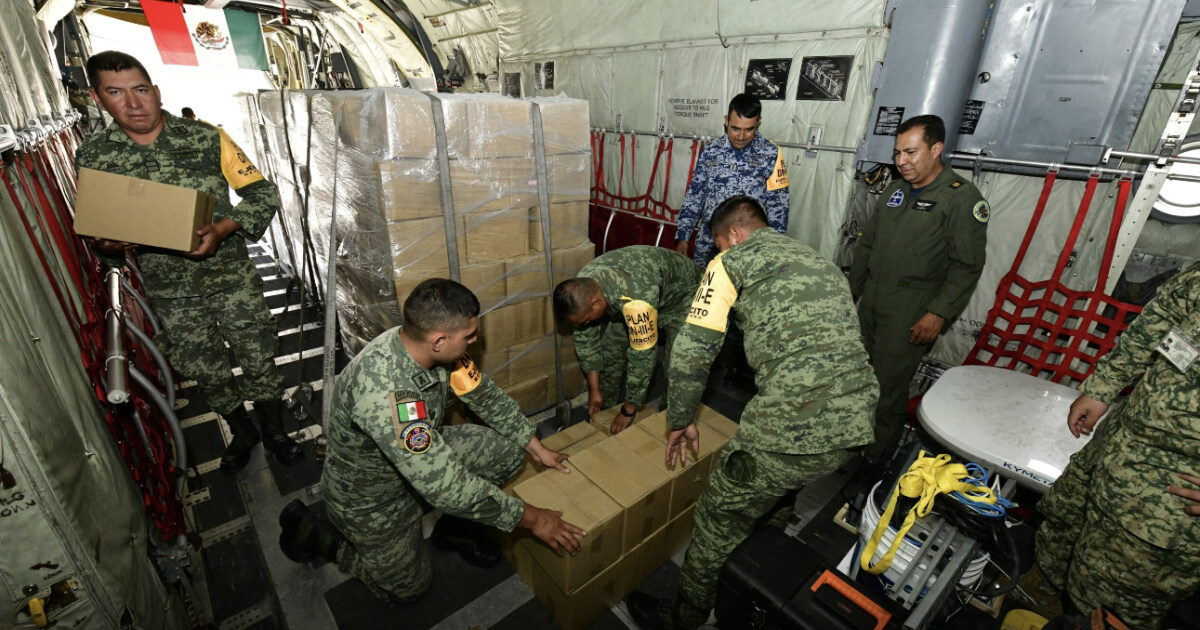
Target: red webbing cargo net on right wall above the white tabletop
{"points": [[1045, 328]]}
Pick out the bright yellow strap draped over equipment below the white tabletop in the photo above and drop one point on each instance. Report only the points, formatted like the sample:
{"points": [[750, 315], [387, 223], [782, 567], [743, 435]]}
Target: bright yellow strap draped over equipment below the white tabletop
{"points": [[925, 481]]}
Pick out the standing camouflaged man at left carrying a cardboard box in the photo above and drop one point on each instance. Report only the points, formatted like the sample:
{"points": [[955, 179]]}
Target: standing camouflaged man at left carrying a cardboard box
{"points": [[213, 296]]}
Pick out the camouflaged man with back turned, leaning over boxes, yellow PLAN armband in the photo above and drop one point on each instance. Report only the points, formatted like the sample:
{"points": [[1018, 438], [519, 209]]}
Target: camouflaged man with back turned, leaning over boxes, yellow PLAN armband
{"points": [[815, 399]]}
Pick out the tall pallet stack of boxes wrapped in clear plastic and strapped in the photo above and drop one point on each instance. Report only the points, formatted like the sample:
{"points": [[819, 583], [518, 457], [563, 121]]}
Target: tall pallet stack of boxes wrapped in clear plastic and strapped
{"points": [[370, 159]]}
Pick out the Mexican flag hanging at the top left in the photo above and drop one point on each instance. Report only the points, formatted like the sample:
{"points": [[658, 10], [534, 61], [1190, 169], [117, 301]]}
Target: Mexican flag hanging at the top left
{"points": [[200, 37]]}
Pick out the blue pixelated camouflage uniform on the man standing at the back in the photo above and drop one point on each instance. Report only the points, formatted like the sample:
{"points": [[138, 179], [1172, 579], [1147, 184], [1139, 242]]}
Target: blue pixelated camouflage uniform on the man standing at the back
{"points": [[724, 172]]}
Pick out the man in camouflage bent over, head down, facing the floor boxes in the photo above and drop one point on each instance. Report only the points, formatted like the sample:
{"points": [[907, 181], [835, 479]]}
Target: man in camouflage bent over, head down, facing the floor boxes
{"points": [[627, 308]]}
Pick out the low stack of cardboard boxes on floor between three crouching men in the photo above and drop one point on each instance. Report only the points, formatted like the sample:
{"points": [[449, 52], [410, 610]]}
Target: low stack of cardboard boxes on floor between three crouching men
{"points": [[637, 511]]}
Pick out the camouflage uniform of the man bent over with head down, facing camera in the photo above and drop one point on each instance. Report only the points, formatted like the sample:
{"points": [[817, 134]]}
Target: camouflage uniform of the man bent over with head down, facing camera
{"points": [[649, 291]]}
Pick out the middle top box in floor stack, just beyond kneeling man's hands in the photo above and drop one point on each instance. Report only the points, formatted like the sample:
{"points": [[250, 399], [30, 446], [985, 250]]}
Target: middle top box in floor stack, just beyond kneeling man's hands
{"points": [[637, 485]]}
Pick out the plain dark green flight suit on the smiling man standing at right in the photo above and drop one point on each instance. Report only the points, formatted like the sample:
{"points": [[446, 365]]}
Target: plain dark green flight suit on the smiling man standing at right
{"points": [[919, 254]]}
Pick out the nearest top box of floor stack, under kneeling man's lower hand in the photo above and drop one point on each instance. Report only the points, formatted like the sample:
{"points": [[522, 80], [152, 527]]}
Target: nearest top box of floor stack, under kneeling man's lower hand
{"points": [[585, 506]]}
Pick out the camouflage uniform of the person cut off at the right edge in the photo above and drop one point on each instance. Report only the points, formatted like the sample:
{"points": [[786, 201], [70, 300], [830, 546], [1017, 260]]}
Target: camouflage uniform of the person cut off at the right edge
{"points": [[1113, 536]]}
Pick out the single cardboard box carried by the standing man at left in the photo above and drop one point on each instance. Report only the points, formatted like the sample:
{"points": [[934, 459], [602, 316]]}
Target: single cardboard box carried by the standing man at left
{"points": [[135, 211]]}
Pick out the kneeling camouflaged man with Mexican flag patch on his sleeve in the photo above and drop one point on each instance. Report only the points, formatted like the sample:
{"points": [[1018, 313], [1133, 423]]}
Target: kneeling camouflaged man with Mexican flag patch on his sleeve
{"points": [[389, 451]]}
